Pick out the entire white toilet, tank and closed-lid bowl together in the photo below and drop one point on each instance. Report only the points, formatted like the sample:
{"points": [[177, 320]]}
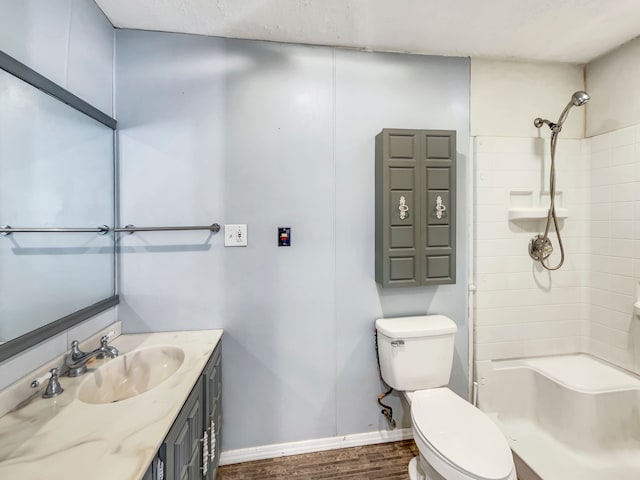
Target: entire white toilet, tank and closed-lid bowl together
{"points": [[455, 439]]}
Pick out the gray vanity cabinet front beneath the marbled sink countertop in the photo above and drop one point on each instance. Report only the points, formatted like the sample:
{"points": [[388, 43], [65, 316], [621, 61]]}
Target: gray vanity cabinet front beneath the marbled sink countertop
{"points": [[192, 445]]}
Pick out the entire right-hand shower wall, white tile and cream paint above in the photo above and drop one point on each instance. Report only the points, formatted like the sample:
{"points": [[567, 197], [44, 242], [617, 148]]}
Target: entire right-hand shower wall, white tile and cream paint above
{"points": [[613, 122]]}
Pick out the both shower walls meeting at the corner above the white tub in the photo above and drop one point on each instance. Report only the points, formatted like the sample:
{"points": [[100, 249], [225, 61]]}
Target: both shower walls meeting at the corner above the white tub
{"points": [[589, 306]]}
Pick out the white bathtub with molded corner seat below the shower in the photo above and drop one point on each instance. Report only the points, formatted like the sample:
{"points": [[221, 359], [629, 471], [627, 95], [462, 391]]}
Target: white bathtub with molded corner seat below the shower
{"points": [[565, 417]]}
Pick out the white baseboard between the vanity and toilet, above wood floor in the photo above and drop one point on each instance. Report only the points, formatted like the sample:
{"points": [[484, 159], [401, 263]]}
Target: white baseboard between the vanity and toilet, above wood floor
{"points": [[316, 445]]}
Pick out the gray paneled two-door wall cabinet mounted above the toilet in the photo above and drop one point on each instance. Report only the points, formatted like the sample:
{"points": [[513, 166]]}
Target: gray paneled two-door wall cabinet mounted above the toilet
{"points": [[415, 175]]}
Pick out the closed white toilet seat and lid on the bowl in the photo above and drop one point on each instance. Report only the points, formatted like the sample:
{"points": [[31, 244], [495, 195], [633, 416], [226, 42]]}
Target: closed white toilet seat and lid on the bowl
{"points": [[457, 439]]}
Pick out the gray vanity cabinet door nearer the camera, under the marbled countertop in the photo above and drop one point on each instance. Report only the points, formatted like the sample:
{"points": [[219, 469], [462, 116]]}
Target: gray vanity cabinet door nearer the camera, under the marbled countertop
{"points": [[183, 445]]}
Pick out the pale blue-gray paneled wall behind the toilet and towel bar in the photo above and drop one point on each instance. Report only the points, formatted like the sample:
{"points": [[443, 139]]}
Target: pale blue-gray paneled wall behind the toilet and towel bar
{"points": [[273, 135]]}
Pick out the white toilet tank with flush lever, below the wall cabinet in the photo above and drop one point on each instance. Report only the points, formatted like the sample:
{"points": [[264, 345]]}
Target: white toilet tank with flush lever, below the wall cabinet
{"points": [[416, 353]]}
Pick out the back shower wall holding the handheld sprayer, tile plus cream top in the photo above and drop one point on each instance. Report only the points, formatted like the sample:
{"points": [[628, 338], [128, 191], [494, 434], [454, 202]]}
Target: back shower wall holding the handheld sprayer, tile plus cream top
{"points": [[521, 310]]}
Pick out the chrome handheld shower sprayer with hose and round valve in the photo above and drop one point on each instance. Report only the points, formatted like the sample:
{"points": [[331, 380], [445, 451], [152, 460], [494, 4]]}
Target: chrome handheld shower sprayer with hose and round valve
{"points": [[540, 247]]}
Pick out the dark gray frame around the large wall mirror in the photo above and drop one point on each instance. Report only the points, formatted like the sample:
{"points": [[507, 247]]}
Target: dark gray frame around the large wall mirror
{"points": [[34, 337]]}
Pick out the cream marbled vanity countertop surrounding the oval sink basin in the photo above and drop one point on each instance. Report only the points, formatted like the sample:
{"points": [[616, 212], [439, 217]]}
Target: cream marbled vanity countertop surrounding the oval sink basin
{"points": [[65, 438]]}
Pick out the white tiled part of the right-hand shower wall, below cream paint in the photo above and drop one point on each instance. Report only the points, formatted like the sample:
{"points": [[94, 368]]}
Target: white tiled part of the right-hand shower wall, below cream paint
{"points": [[615, 246]]}
